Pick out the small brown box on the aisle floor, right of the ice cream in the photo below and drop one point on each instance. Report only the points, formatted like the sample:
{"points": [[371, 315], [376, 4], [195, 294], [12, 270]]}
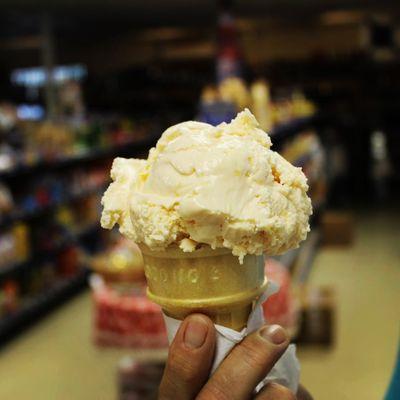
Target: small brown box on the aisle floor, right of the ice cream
{"points": [[337, 228]]}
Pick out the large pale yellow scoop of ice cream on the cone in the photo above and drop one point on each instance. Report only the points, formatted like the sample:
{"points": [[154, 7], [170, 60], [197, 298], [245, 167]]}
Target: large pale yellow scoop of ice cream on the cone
{"points": [[222, 186]]}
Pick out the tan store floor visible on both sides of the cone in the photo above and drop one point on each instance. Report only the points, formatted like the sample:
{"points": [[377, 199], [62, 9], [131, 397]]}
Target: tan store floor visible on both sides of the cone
{"points": [[56, 360]]}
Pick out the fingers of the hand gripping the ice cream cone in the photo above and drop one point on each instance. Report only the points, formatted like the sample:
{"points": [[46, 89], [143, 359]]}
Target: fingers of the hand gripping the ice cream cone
{"points": [[186, 375]]}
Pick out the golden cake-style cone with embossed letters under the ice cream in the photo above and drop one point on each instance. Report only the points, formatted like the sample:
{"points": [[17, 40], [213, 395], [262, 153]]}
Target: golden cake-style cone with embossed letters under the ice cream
{"points": [[209, 281]]}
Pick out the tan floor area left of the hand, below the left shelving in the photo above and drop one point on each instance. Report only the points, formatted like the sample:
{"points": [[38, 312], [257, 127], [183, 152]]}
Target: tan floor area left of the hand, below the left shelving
{"points": [[57, 361]]}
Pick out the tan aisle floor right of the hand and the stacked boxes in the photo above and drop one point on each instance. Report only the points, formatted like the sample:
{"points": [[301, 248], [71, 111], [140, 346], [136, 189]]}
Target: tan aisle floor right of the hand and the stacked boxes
{"points": [[366, 278]]}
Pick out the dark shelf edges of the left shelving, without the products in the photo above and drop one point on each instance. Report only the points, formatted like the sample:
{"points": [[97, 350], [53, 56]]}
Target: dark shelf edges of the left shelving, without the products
{"points": [[34, 308]]}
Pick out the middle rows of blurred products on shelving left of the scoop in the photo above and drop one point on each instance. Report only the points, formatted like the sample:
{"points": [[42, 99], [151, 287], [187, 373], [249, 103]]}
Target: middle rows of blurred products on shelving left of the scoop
{"points": [[47, 214]]}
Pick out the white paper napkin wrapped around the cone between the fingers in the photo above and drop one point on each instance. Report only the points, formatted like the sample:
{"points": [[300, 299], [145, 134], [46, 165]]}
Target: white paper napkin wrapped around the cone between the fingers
{"points": [[285, 372]]}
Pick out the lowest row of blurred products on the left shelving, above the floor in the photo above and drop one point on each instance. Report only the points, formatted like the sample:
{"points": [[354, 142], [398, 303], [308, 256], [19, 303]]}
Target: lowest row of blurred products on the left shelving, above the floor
{"points": [[31, 288]]}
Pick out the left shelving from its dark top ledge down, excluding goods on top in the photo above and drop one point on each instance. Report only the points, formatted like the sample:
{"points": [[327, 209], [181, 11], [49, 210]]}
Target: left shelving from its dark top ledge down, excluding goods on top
{"points": [[75, 234]]}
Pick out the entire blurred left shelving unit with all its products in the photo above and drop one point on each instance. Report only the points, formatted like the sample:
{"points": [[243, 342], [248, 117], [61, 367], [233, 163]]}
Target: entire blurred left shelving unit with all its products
{"points": [[51, 182]]}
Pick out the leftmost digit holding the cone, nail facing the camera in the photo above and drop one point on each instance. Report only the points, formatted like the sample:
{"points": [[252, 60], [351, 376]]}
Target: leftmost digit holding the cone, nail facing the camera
{"points": [[189, 359]]}
